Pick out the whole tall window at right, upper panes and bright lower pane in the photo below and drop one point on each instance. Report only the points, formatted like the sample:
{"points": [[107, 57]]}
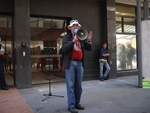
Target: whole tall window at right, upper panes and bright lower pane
{"points": [[126, 37]]}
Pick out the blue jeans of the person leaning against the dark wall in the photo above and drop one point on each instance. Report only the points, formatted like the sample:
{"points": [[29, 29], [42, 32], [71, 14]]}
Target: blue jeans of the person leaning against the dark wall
{"points": [[101, 65]]}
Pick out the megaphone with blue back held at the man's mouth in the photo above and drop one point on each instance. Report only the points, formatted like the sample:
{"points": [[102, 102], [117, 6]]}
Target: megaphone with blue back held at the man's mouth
{"points": [[81, 33]]}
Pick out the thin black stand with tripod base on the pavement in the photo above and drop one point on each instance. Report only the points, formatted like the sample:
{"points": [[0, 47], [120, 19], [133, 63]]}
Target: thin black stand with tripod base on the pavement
{"points": [[49, 93]]}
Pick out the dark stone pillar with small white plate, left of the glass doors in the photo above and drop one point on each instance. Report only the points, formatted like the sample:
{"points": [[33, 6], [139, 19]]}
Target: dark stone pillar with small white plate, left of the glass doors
{"points": [[21, 31]]}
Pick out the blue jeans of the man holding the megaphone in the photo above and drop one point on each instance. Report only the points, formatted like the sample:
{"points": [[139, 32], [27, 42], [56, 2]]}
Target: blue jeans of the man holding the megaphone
{"points": [[74, 77]]}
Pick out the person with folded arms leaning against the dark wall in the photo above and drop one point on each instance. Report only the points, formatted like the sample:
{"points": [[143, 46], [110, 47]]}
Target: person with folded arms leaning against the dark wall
{"points": [[103, 62]]}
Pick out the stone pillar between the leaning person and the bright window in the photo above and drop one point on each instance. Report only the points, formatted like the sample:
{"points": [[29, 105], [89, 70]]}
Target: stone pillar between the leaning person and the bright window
{"points": [[111, 36]]}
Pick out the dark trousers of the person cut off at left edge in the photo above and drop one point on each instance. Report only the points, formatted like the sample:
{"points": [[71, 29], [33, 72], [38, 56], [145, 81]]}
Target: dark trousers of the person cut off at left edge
{"points": [[2, 78]]}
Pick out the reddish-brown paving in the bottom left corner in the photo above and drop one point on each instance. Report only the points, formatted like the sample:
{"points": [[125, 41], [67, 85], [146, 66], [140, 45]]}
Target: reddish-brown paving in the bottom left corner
{"points": [[11, 101]]}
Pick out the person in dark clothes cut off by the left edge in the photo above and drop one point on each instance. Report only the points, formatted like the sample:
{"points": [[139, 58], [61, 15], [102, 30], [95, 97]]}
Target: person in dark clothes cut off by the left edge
{"points": [[2, 78]]}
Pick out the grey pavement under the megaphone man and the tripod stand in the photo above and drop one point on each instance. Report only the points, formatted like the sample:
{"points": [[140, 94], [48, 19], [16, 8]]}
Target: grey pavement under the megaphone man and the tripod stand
{"points": [[112, 96]]}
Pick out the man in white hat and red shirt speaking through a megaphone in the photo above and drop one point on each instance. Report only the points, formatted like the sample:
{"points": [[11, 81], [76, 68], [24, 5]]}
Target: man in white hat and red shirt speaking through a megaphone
{"points": [[72, 50]]}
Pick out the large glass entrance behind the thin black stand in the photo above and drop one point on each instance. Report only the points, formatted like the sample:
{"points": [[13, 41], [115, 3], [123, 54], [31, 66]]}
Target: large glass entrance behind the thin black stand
{"points": [[46, 41]]}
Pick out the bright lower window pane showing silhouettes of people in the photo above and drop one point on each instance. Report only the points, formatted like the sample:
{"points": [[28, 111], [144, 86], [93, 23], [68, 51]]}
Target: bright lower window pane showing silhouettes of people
{"points": [[126, 52]]}
